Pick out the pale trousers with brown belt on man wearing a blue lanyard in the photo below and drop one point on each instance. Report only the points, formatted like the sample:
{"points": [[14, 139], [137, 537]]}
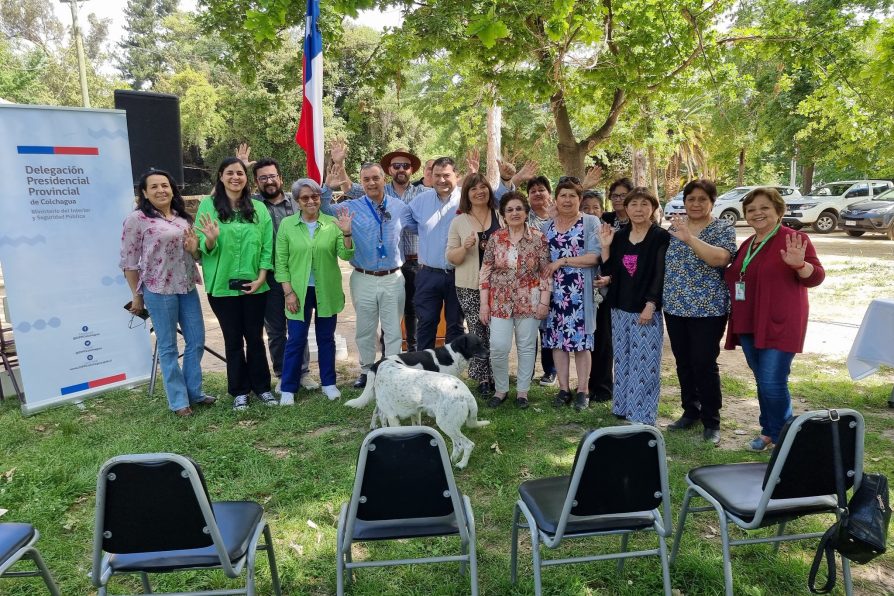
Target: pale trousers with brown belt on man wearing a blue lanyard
{"points": [[377, 299]]}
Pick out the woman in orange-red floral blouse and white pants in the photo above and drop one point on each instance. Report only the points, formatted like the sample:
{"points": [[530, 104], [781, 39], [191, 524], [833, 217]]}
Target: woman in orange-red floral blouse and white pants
{"points": [[515, 285]]}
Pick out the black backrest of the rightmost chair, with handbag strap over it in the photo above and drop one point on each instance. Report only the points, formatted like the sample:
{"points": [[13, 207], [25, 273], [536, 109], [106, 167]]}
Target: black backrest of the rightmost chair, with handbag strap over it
{"points": [[802, 464]]}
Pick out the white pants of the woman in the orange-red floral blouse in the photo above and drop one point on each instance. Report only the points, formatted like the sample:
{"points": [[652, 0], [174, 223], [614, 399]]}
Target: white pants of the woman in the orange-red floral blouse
{"points": [[526, 331]]}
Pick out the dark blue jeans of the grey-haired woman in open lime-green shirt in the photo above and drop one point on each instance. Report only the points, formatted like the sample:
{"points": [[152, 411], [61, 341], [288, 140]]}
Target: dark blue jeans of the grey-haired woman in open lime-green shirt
{"points": [[297, 343]]}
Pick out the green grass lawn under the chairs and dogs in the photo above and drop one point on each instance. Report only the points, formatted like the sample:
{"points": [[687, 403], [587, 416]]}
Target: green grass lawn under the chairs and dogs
{"points": [[299, 463]]}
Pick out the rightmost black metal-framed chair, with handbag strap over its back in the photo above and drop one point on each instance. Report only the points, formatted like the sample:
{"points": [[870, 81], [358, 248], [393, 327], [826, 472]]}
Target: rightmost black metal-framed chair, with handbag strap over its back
{"points": [[799, 480]]}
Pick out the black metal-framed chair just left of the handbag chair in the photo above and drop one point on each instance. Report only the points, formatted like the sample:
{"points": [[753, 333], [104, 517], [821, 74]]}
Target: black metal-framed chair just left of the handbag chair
{"points": [[618, 485]]}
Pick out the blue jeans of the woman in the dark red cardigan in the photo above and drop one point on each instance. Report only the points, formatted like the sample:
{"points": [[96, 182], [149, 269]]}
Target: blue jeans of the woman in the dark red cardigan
{"points": [[771, 369]]}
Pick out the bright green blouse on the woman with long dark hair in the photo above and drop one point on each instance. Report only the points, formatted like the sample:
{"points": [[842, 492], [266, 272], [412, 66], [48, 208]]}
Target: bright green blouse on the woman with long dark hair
{"points": [[241, 251]]}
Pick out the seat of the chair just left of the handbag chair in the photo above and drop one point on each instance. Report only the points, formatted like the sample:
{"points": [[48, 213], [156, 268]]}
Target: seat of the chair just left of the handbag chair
{"points": [[546, 496]]}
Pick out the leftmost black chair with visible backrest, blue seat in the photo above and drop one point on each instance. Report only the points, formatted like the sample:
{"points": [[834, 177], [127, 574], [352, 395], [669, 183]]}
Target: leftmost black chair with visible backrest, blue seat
{"points": [[153, 515]]}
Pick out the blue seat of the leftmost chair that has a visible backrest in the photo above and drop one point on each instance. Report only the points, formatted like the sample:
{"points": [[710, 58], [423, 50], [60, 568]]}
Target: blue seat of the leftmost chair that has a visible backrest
{"points": [[237, 521]]}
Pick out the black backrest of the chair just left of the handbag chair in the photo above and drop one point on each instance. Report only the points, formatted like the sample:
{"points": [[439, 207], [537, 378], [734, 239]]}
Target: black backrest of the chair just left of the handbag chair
{"points": [[621, 469]]}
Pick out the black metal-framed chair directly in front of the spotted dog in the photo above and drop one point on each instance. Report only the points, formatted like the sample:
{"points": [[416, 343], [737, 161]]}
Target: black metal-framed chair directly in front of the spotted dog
{"points": [[404, 488]]}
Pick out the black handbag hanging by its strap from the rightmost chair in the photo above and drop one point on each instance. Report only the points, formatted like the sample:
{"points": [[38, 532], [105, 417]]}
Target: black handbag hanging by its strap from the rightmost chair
{"points": [[861, 532]]}
